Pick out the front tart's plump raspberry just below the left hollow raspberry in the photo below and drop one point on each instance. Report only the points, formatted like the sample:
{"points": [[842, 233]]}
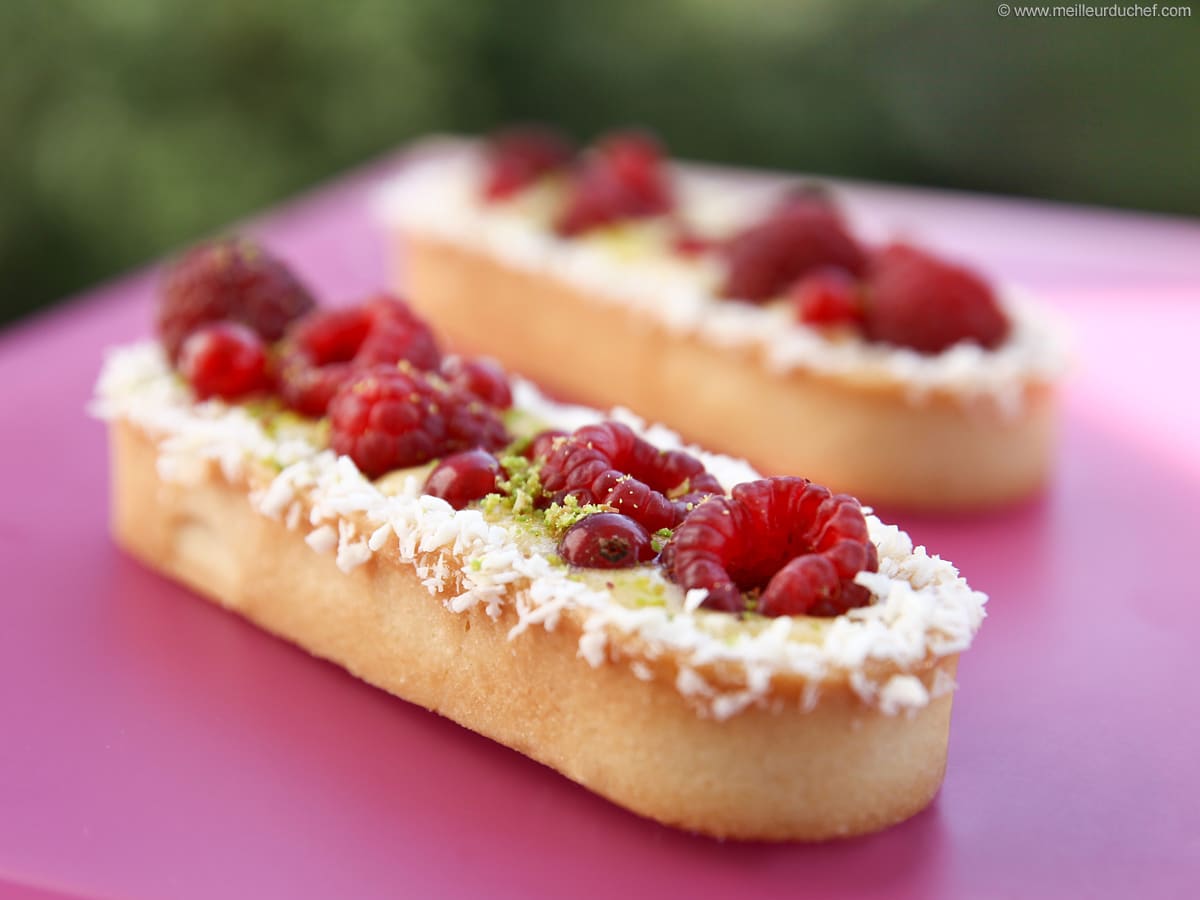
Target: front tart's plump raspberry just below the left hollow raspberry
{"points": [[391, 418]]}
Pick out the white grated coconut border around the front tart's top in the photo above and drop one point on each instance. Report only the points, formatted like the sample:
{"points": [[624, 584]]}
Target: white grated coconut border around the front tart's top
{"points": [[920, 608]]}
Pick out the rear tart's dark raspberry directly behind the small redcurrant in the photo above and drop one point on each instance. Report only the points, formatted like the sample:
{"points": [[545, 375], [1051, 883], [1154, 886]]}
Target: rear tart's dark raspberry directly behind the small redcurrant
{"points": [[802, 235]]}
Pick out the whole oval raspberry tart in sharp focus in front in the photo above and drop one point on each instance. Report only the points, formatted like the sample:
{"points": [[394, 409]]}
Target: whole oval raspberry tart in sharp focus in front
{"points": [[743, 657]]}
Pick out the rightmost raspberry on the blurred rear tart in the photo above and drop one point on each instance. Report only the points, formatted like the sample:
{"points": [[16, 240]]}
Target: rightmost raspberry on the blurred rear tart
{"points": [[920, 302]]}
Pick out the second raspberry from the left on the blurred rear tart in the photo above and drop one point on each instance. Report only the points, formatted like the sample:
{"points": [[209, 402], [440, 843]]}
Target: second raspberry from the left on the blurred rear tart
{"points": [[622, 177]]}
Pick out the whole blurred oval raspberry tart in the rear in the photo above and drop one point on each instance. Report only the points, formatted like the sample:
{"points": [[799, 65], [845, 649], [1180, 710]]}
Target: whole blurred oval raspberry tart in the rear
{"points": [[739, 315]]}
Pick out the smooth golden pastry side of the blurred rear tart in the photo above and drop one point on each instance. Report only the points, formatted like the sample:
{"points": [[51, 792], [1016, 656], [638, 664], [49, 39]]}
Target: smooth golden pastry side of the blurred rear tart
{"points": [[866, 440]]}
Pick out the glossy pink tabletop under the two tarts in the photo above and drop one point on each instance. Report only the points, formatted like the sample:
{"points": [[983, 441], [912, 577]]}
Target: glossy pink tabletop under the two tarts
{"points": [[155, 746]]}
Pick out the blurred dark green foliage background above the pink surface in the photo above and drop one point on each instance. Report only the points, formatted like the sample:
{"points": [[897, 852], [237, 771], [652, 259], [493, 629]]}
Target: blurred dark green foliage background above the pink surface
{"points": [[133, 127]]}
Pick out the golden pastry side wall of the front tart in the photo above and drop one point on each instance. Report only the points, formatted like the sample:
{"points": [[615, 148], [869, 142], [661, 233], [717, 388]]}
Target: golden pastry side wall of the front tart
{"points": [[767, 773]]}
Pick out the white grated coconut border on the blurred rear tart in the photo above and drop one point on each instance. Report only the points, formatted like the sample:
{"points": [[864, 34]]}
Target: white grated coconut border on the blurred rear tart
{"points": [[437, 196]]}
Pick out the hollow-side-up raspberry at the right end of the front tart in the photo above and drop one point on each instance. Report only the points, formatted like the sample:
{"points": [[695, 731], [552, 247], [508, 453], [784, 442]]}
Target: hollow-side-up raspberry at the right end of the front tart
{"points": [[790, 542]]}
